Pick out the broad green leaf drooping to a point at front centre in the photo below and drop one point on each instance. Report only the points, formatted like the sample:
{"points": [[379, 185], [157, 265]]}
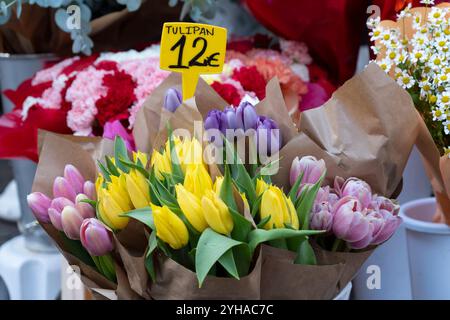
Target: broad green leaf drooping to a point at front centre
{"points": [[211, 246]]}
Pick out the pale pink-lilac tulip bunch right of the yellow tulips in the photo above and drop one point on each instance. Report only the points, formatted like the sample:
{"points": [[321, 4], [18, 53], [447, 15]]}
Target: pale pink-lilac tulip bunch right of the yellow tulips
{"points": [[352, 216]]}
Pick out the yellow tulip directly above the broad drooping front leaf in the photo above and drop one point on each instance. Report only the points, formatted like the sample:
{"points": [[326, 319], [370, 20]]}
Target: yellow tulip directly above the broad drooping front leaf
{"points": [[216, 213]]}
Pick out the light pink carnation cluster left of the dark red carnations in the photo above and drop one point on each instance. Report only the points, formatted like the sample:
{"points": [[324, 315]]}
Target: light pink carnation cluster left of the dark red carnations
{"points": [[85, 90]]}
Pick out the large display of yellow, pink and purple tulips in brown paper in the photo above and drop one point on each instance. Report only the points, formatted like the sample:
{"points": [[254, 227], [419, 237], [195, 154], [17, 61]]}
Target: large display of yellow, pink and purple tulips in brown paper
{"points": [[191, 217]]}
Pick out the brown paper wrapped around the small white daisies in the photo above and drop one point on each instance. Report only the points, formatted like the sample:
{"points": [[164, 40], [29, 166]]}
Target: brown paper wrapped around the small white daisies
{"points": [[438, 170]]}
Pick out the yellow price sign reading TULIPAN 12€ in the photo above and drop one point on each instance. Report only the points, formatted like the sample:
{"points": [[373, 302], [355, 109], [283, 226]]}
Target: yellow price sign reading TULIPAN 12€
{"points": [[192, 49]]}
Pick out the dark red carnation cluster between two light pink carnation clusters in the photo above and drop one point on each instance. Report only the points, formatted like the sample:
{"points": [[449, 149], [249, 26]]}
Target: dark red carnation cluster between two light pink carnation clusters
{"points": [[115, 104]]}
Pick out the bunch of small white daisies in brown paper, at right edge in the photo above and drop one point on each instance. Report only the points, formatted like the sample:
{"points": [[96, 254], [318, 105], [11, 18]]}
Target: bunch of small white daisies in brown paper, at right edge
{"points": [[414, 51]]}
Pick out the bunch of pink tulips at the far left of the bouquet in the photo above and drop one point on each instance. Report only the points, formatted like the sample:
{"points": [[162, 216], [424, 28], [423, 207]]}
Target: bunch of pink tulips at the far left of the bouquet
{"points": [[72, 212]]}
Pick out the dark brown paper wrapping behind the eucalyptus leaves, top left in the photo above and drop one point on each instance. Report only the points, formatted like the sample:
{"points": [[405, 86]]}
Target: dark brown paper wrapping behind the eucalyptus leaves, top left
{"points": [[36, 31]]}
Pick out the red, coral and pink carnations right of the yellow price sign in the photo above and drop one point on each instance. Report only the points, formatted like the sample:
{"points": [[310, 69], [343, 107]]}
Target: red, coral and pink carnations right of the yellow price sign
{"points": [[252, 62]]}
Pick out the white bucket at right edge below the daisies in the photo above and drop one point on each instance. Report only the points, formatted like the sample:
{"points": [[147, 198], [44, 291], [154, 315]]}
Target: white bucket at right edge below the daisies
{"points": [[428, 249]]}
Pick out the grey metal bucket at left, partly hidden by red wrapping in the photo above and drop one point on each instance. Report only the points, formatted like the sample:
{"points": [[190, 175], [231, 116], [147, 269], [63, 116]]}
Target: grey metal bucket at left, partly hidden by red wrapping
{"points": [[14, 69]]}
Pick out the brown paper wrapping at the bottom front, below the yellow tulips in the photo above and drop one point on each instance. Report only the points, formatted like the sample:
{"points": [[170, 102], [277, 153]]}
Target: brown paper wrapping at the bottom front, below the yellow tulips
{"points": [[173, 281]]}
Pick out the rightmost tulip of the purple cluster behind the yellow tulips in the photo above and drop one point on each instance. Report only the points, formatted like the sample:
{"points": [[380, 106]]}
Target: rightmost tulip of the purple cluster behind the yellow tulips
{"points": [[268, 136]]}
